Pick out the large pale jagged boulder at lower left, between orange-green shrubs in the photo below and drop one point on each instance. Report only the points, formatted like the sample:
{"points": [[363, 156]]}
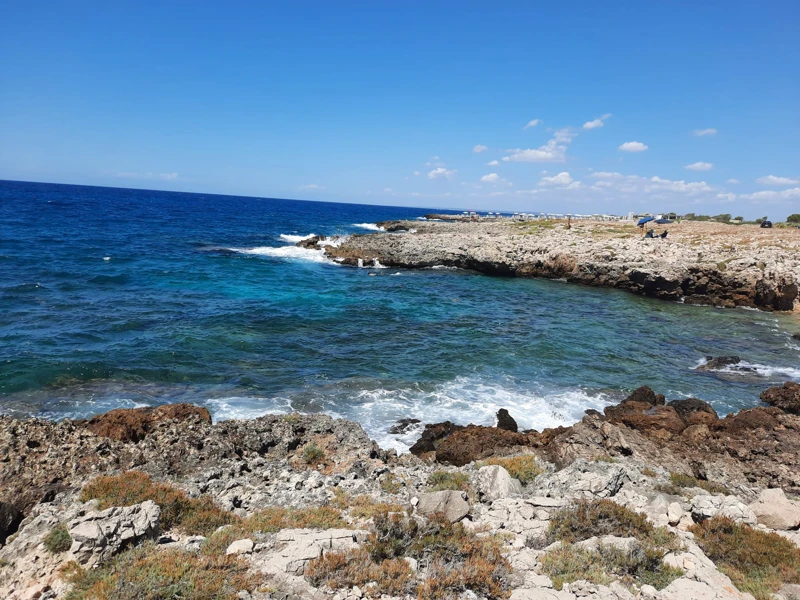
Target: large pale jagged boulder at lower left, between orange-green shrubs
{"points": [[96, 536]]}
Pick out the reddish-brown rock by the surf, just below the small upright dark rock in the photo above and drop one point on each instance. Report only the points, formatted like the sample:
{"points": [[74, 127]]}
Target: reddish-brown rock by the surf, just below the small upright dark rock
{"points": [[475, 442]]}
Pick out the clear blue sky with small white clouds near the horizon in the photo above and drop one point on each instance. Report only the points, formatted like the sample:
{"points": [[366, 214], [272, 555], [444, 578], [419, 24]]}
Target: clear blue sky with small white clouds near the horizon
{"points": [[580, 107]]}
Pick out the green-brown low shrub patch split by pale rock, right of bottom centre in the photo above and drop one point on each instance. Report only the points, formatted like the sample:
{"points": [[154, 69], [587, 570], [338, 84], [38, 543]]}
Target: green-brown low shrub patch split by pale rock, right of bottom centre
{"points": [[596, 518]]}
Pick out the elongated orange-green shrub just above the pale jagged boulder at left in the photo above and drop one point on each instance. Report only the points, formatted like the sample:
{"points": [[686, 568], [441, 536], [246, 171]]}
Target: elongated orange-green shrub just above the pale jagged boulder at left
{"points": [[195, 516]]}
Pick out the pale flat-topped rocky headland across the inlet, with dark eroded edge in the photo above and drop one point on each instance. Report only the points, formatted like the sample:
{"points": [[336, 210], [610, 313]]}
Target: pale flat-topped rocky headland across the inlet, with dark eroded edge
{"points": [[698, 263]]}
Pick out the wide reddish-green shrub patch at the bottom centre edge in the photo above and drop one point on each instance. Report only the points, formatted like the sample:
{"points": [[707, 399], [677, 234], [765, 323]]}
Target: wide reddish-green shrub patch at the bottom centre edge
{"points": [[457, 560]]}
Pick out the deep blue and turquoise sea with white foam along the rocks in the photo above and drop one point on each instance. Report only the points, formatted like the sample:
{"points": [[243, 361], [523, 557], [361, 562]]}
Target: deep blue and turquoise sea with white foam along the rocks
{"points": [[122, 298]]}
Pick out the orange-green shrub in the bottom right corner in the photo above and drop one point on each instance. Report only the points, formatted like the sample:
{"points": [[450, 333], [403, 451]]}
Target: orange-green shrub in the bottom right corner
{"points": [[757, 562]]}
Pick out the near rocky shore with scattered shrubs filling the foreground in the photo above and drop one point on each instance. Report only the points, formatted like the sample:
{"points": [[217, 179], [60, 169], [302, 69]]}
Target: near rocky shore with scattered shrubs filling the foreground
{"points": [[305, 506]]}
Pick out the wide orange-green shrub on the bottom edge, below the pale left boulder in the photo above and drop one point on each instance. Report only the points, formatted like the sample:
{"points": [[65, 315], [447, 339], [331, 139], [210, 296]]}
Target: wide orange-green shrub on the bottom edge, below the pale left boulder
{"points": [[147, 573]]}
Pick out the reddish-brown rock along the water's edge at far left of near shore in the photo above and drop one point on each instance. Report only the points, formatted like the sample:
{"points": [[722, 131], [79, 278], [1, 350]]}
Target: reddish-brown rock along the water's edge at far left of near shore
{"points": [[133, 424]]}
